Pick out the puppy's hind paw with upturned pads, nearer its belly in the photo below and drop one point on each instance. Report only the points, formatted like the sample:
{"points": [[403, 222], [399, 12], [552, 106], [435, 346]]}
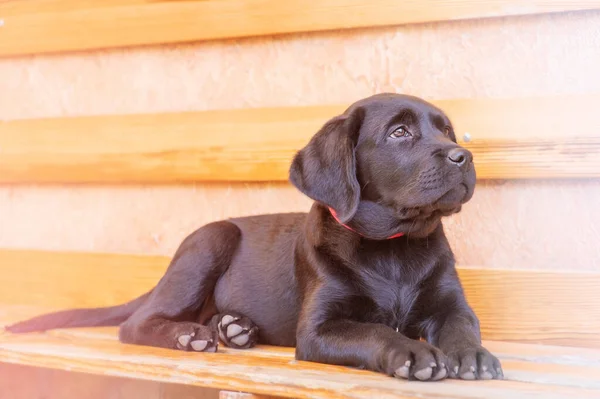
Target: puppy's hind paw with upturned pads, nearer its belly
{"points": [[237, 331]]}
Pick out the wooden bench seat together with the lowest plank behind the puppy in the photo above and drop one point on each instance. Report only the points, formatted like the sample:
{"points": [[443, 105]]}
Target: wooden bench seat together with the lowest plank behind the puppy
{"points": [[545, 328]]}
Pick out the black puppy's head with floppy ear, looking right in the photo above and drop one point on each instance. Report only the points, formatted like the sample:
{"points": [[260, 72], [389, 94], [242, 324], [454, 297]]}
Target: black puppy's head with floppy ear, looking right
{"points": [[390, 162]]}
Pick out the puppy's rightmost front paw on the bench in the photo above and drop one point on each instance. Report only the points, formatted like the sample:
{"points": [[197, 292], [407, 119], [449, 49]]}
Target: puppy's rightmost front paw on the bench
{"points": [[474, 363]]}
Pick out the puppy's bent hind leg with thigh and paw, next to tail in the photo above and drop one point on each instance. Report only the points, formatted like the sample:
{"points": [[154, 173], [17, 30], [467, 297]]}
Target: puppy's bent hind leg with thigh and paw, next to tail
{"points": [[169, 317]]}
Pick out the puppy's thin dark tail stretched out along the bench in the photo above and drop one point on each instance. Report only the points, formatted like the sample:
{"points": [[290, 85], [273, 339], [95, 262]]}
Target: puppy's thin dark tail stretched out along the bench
{"points": [[94, 317]]}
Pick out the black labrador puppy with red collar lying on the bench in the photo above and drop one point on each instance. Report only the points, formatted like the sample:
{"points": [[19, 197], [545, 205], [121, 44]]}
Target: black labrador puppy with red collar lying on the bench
{"points": [[365, 279]]}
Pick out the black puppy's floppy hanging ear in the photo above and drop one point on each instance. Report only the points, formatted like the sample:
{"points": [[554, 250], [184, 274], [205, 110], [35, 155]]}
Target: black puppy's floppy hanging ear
{"points": [[325, 170]]}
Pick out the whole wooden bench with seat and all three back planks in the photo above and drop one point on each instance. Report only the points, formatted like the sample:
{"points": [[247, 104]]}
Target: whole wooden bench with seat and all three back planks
{"points": [[544, 326]]}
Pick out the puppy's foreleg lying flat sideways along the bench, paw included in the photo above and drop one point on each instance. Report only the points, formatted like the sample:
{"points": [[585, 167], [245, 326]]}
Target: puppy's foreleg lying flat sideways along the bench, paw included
{"points": [[375, 347]]}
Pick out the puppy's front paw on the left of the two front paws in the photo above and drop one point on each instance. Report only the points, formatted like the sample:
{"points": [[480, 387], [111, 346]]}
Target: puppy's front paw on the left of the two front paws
{"points": [[418, 361]]}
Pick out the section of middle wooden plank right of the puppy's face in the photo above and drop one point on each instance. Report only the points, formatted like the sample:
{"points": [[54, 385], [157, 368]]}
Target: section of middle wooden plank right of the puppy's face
{"points": [[543, 137]]}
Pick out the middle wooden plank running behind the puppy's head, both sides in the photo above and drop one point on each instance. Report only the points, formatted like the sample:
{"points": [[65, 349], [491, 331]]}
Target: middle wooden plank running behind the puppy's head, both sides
{"points": [[548, 137]]}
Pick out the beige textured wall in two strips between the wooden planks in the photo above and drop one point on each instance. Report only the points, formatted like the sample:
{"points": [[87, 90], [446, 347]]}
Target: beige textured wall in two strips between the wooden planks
{"points": [[507, 225]]}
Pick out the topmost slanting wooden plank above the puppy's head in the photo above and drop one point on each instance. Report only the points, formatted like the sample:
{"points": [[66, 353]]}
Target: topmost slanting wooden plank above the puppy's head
{"points": [[41, 26]]}
